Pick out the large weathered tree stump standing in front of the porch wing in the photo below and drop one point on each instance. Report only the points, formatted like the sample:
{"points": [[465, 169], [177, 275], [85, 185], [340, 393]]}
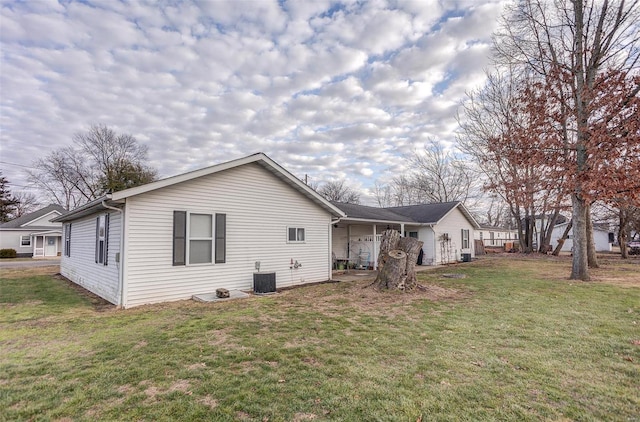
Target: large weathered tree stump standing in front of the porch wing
{"points": [[397, 261]]}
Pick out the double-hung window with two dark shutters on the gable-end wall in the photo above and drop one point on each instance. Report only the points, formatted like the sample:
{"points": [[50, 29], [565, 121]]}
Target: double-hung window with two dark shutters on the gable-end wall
{"points": [[198, 238]]}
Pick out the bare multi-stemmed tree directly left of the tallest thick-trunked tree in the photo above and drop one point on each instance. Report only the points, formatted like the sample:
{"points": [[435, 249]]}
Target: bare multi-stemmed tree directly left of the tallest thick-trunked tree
{"points": [[494, 120]]}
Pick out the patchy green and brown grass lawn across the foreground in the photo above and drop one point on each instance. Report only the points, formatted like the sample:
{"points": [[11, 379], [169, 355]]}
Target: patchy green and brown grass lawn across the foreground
{"points": [[512, 340]]}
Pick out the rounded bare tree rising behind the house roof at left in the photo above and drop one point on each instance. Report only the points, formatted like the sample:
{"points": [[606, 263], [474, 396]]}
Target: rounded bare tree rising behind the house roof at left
{"points": [[100, 161]]}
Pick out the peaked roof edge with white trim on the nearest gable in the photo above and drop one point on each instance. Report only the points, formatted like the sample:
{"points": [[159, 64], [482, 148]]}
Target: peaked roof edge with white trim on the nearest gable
{"points": [[259, 158]]}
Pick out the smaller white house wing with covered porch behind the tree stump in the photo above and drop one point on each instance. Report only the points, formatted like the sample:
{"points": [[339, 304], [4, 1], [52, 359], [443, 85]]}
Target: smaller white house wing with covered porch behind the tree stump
{"points": [[447, 230]]}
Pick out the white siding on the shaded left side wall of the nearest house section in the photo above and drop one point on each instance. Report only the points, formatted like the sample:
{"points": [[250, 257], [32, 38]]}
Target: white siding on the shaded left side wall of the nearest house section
{"points": [[81, 267]]}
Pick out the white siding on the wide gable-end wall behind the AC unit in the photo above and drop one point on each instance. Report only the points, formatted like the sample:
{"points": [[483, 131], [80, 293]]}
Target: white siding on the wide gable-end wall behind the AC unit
{"points": [[259, 208]]}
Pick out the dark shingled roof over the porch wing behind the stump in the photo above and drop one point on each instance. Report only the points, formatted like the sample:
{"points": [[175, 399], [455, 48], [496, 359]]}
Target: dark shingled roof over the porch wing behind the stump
{"points": [[428, 214]]}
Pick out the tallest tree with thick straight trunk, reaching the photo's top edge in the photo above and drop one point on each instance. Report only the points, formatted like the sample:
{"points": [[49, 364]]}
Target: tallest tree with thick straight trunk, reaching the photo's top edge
{"points": [[569, 44]]}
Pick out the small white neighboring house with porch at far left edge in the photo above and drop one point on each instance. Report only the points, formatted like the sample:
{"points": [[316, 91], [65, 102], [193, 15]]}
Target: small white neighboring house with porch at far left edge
{"points": [[33, 234]]}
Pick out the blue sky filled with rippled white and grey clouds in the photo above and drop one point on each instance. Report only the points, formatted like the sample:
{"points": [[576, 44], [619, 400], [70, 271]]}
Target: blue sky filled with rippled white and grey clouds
{"points": [[332, 90]]}
